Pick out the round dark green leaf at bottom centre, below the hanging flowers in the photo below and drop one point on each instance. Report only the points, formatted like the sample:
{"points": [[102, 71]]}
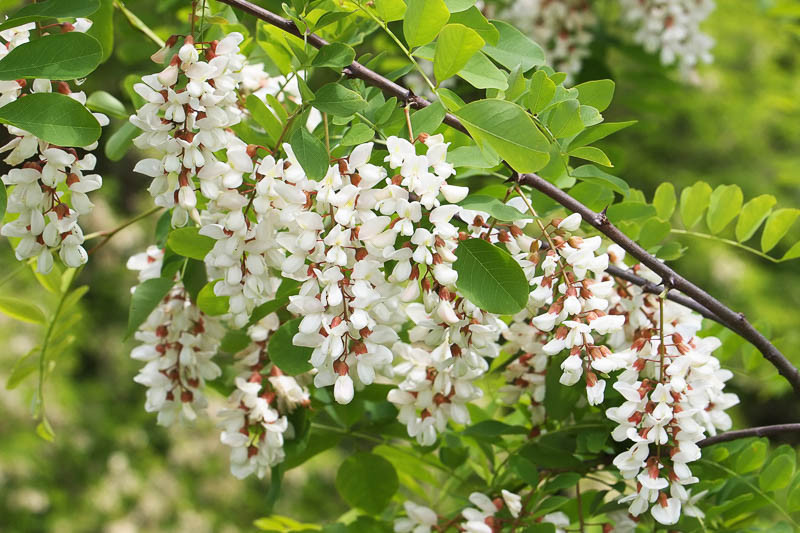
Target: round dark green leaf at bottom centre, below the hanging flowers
{"points": [[367, 481]]}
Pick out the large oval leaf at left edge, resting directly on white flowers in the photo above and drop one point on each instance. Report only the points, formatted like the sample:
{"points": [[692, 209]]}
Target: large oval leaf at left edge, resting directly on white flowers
{"points": [[53, 117]]}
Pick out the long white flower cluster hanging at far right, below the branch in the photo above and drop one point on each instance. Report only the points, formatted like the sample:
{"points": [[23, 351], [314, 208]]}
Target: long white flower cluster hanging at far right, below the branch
{"points": [[673, 391]]}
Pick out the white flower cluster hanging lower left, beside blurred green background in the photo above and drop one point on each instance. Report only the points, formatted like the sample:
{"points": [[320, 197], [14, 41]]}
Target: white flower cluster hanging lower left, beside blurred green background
{"points": [[178, 343]]}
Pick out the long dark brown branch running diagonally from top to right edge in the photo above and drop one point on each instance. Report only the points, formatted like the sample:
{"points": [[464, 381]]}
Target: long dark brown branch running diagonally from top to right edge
{"points": [[729, 318]]}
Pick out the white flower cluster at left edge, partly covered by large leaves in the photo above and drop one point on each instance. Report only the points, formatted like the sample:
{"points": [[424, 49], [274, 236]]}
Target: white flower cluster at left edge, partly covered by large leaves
{"points": [[50, 183]]}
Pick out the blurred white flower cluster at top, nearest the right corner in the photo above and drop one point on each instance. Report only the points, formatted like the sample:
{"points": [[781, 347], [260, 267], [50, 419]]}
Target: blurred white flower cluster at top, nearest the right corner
{"points": [[671, 28]]}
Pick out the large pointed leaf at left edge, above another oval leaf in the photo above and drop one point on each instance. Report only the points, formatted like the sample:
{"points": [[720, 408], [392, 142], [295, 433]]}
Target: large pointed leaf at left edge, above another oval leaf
{"points": [[64, 56]]}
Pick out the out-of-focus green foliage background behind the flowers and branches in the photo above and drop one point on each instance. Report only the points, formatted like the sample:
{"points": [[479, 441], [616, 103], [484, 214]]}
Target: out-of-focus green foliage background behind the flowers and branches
{"points": [[111, 469]]}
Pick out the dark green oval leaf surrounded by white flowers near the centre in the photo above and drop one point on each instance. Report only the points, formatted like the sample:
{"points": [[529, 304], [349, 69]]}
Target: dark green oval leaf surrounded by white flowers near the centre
{"points": [[490, 278]]}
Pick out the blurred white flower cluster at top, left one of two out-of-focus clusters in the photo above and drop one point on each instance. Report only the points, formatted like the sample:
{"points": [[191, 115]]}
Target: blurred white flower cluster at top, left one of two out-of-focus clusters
{"points": [[562, 27]]}
